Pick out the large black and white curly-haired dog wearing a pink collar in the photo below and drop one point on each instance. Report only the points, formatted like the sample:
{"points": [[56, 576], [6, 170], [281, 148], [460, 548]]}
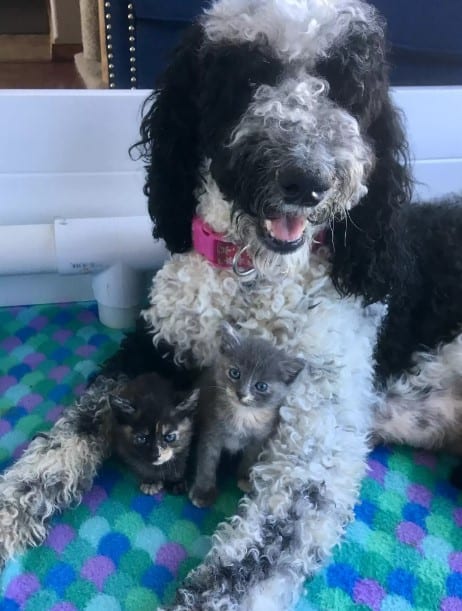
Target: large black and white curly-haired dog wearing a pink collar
{"points": [[273, 132]]}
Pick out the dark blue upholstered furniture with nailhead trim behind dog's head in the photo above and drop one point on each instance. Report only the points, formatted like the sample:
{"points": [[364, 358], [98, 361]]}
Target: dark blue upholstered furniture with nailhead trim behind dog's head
{"points": [[425, 40]]}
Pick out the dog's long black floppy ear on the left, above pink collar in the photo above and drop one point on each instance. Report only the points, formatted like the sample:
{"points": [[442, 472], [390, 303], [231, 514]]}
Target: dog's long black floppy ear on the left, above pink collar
{"points": [[169, 144]]}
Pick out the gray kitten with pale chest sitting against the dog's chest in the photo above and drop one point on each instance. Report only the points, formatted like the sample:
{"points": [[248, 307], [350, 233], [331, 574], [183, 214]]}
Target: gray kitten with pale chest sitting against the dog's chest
{"points": [[238, 406]]}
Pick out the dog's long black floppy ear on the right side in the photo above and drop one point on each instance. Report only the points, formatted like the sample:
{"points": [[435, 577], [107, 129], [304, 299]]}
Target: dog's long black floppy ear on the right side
{"points": [[364, 244]]}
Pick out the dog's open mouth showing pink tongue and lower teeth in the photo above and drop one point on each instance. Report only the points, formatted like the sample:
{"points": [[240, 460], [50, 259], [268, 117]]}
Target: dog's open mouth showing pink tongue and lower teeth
{"points": [[284, 233]]}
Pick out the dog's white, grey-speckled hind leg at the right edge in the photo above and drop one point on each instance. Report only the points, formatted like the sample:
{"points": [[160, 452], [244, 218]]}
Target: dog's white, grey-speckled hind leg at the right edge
{"points": [[423, 408]]}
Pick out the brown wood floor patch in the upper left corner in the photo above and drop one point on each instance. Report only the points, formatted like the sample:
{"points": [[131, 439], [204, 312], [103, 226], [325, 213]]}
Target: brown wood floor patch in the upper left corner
{"points": [[39, 75]]}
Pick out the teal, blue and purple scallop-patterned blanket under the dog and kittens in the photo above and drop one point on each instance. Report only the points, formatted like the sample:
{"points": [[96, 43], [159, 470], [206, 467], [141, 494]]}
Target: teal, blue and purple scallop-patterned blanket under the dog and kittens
{"points": [[121, 550]]}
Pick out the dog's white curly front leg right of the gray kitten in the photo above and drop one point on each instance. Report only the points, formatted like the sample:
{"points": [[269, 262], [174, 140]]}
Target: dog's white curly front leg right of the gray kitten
{"points": [[304, 490]]}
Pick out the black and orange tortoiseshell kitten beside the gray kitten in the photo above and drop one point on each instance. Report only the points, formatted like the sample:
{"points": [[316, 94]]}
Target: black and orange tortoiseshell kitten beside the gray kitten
{"points": [[153, 428]]}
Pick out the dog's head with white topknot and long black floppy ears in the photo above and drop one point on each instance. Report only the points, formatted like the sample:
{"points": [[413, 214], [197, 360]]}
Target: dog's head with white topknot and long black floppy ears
{"points": [[288, 102]]}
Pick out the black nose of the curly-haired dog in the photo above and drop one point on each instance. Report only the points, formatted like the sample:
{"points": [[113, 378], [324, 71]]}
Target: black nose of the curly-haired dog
{"points": [[300, 187]]}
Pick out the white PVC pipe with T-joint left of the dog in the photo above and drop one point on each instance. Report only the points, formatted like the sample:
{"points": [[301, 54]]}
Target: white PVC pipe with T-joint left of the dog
{"points": [[115, 250]]}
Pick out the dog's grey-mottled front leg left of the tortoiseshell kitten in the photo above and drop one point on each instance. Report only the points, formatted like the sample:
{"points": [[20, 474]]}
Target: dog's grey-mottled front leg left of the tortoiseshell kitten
{"points": [[55, 470]]}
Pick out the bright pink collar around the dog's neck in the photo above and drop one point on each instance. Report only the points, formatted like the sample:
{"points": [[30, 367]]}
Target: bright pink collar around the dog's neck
{"points": [[215, 249]]}
